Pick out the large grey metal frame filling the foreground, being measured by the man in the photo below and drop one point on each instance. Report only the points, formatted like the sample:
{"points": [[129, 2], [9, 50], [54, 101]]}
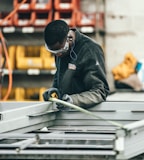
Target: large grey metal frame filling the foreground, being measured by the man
{"points": [[71, 135]]}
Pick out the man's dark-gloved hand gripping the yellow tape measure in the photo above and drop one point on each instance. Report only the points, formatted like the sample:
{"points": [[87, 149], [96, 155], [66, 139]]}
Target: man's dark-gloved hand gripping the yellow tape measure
{"points": [[51, 93]]}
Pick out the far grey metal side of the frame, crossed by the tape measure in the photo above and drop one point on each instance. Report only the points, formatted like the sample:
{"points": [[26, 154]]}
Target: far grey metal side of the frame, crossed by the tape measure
{"points": [[121, 112]]}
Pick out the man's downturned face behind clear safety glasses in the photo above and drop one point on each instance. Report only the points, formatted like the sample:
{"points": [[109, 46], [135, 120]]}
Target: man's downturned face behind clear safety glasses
{"points": [[59, 49]]}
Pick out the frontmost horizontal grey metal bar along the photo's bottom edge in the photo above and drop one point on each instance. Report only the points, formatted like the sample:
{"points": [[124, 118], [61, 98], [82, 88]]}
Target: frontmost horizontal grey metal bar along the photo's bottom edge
{"points": [[59, 155]]}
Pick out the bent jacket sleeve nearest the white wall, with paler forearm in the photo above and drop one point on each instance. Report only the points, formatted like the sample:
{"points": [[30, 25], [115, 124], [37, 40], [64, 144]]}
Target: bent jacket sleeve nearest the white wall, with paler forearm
{"points": [[95, 81]]}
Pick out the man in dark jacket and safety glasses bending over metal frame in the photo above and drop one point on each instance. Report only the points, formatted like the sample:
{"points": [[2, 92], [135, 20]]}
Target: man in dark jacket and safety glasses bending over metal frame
{"points": [[80, 76]]}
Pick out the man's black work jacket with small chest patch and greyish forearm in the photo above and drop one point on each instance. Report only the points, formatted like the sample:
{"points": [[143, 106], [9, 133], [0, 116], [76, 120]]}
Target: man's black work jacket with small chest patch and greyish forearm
{"points": [[82, 74]]}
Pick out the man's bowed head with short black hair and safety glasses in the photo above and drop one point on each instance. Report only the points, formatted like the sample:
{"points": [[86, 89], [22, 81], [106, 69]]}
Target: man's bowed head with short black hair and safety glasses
{"points": [[55, 36]]}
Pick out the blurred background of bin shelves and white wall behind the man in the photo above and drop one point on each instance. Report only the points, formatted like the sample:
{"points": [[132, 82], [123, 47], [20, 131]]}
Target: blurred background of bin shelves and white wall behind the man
{"points": [[117, 25]]}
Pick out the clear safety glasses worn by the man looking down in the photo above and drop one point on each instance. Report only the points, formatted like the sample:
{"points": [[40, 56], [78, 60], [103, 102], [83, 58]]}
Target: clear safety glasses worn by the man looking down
{"points": [[62, 50]]}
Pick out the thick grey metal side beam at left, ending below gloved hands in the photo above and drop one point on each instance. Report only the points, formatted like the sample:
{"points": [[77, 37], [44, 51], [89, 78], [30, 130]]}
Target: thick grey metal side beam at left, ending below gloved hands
{"points": [[25, 116]]}
